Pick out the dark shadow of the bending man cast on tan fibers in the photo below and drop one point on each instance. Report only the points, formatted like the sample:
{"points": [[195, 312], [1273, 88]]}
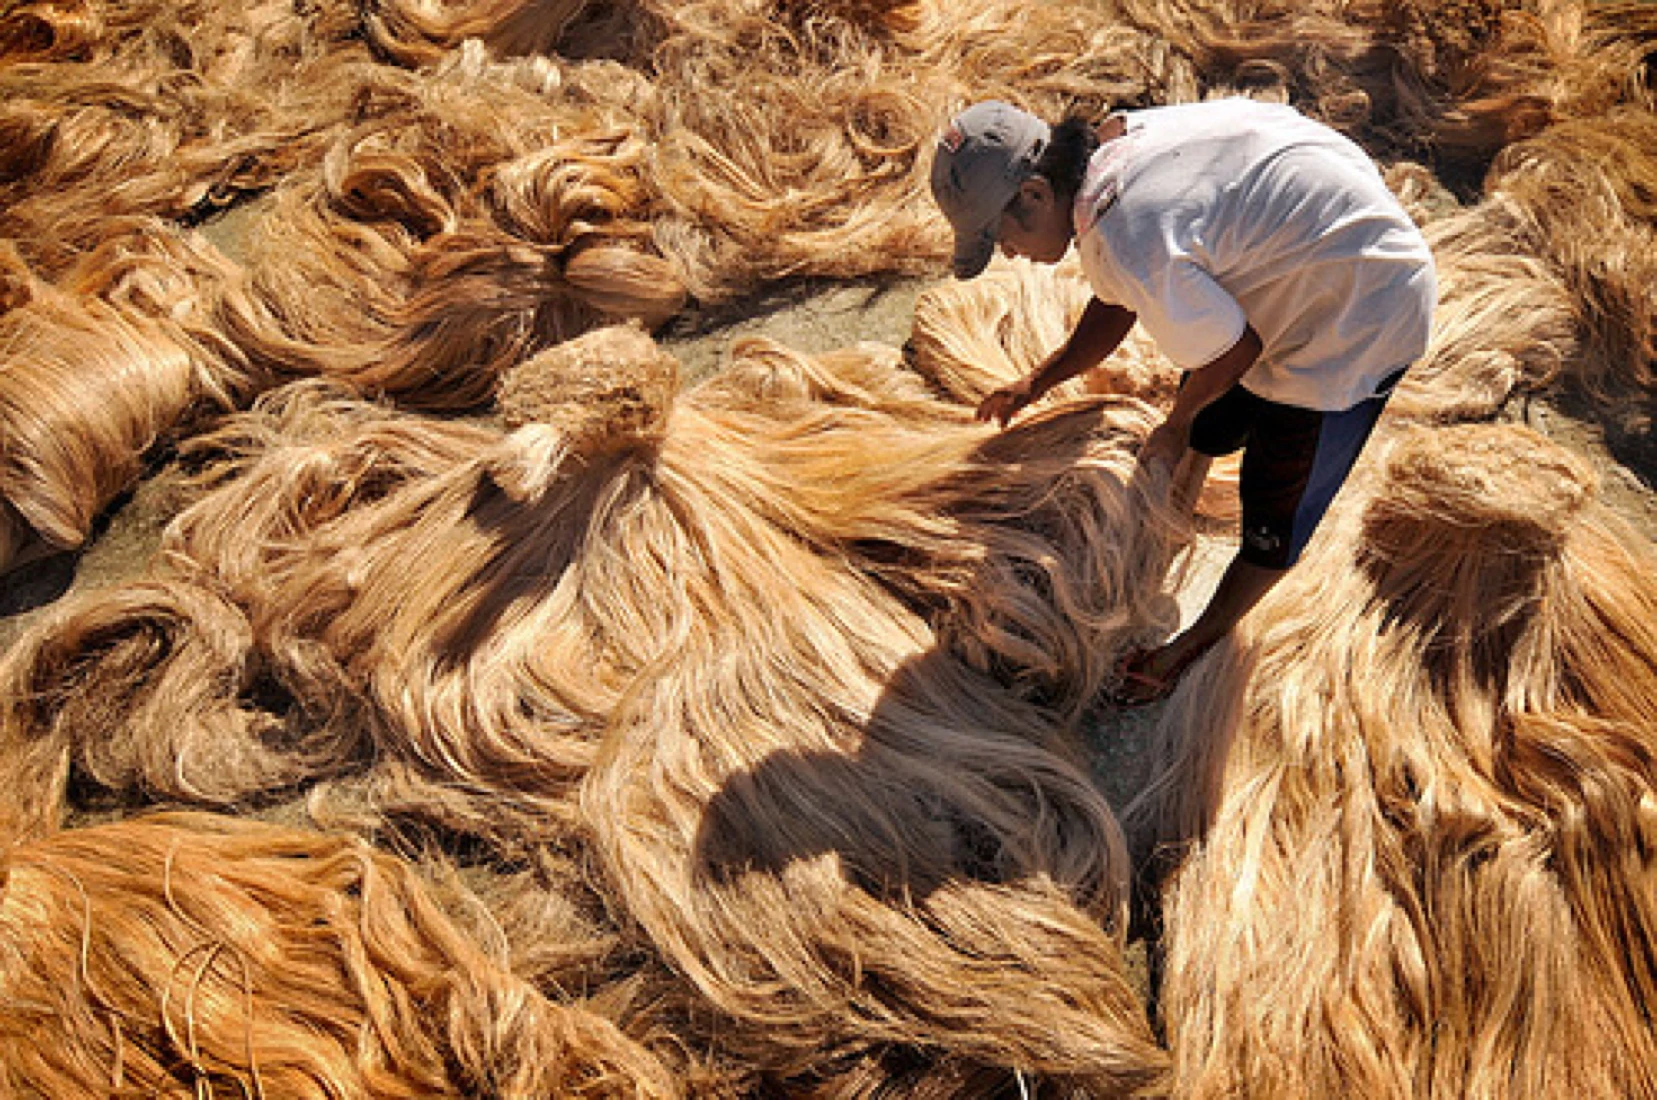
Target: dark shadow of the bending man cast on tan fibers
{"points": [[964, 774]]}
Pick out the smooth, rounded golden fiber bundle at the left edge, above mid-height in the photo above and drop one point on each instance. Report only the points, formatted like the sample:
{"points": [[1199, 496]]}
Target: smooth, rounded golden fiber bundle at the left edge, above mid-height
{"points": [[147, 335]]}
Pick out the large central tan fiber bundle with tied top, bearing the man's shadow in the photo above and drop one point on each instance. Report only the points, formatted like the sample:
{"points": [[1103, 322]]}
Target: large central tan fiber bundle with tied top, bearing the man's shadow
{"points": [[534, 625]]}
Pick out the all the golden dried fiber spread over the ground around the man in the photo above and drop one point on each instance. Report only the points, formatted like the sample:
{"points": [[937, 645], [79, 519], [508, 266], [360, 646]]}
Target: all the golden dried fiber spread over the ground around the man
{"points": [[637, 735]]}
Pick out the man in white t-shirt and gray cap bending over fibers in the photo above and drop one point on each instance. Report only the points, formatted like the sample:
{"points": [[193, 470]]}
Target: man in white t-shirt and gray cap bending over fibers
{"points": [[1265, 256]]}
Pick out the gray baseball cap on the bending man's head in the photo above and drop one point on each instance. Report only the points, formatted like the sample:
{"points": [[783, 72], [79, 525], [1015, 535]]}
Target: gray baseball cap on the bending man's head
{"points": [[983, 157]]}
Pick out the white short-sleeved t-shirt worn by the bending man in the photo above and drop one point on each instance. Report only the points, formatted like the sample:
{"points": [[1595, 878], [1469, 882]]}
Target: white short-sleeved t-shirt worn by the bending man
{"points": [[1209, 216]]}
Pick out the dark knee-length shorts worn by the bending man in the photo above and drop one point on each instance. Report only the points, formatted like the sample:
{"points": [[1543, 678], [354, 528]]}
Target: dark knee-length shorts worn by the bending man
{"points": [[1295, 463]]}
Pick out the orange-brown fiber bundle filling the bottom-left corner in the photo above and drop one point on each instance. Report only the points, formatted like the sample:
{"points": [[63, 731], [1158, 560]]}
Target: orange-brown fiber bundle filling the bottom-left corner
{"points": [[188, 955]]}
